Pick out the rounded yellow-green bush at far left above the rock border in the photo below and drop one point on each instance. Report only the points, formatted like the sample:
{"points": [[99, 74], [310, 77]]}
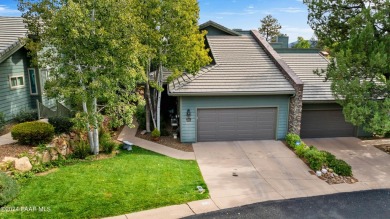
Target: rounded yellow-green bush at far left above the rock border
{"points": [[33, 133]]}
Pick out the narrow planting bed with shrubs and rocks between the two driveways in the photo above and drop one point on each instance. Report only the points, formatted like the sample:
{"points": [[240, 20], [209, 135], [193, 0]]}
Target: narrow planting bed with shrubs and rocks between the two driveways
{"points": [[324, 164]]}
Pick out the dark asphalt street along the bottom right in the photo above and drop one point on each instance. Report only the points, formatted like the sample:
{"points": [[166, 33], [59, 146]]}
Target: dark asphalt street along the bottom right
{"points": [[363, 204]]}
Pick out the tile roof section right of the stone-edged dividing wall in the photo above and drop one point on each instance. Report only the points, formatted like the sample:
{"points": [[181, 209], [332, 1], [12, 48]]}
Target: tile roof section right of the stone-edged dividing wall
{"points": [[303, 64]]}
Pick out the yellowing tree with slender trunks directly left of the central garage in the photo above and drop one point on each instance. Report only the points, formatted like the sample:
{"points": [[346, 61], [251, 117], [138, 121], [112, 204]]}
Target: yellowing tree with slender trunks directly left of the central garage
{"points": [[173, 41]]}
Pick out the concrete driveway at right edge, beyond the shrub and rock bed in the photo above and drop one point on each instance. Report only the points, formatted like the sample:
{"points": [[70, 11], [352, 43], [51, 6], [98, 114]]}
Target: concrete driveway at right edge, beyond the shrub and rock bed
{"points": [[370, 165]]}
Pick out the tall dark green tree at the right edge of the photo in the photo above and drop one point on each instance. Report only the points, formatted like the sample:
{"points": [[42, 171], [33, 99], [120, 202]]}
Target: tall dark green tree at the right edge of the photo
{"points": [[358, 35]]}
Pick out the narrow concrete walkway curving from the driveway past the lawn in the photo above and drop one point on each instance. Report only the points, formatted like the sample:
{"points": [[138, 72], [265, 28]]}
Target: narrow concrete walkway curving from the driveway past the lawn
{"points": [[128, 134]]}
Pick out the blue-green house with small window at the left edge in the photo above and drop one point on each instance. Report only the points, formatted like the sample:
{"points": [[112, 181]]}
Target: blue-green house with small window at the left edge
{"points": [[21, 85]]}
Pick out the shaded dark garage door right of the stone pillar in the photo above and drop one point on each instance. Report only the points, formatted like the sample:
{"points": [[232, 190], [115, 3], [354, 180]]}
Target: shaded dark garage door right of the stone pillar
{"points": [[325, 123]]}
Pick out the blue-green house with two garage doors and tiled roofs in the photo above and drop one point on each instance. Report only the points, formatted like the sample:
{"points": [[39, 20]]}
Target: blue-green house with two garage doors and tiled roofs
{"points": [[253, 90]]}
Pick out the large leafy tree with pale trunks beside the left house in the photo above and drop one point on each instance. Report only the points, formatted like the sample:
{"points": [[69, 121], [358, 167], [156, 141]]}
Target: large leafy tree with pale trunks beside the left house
{"points": [[92, 51]]}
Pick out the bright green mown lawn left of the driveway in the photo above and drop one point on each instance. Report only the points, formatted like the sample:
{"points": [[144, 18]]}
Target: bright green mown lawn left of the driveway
{"points": [[130, 182]]}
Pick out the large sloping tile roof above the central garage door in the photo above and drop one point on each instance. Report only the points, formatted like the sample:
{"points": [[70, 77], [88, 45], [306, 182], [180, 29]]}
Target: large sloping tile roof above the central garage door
{"points": [[242, 67]]}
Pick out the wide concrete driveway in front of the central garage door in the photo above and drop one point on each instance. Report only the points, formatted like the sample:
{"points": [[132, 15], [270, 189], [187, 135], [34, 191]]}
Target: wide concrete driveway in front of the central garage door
{"points": [[267, 170]]}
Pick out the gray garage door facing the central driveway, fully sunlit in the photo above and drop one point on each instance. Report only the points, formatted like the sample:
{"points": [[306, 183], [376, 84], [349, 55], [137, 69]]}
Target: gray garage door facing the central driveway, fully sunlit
{"points": [[236, 124]]}
